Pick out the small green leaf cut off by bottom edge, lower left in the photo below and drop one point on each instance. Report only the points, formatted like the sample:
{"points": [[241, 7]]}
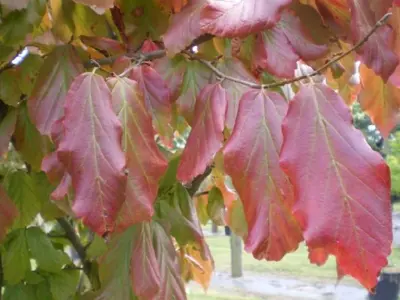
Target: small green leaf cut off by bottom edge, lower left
{"points": [[63, 285]]}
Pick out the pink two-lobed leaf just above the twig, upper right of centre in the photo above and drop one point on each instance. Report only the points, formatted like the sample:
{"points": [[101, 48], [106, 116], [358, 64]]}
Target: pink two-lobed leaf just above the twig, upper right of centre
{"points": [[279, 49]]}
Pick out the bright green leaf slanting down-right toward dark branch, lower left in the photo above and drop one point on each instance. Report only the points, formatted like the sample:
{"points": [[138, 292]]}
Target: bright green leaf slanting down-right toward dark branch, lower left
{"points": [[47, 257]]}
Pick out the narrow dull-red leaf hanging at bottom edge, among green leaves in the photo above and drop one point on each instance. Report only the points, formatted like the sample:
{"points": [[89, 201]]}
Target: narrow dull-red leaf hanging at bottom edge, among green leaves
{"points": [[145, 271]]}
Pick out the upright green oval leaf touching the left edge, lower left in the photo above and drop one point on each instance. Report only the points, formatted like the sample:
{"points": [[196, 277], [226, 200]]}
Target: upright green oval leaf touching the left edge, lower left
{"points": [[16, 258]]}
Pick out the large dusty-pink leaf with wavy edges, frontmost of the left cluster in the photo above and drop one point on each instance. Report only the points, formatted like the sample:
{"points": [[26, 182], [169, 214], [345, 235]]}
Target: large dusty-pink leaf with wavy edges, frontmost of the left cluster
{"points": [[91, 151]]}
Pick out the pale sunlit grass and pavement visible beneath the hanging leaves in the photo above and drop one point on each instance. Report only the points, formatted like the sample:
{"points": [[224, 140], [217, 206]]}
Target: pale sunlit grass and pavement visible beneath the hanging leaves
{"points": [[293, 278]]}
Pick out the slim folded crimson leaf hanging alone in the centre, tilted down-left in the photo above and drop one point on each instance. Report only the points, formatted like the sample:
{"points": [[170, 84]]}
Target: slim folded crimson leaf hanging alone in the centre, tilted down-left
{"points": [[206, 136]]}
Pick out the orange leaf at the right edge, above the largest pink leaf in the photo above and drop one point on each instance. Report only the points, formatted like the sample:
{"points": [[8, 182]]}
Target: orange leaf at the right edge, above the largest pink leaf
{"points": [[379, 100]]}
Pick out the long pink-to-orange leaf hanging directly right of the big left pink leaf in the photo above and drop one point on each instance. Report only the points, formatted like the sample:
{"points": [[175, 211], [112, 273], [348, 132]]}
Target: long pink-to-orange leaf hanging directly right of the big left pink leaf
{"points": [[145, 163]]}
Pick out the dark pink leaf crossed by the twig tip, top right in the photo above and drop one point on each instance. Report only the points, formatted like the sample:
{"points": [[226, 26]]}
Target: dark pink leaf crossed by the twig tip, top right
{"points": [[376, 52]]}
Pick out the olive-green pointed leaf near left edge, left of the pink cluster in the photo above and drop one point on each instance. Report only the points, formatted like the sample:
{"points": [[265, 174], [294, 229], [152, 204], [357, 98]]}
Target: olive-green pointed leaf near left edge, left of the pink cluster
{"points": [[28, 141]]}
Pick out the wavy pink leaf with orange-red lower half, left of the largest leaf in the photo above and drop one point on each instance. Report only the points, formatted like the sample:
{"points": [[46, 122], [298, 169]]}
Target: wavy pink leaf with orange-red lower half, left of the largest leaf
{"points": [[251, 158]]}
